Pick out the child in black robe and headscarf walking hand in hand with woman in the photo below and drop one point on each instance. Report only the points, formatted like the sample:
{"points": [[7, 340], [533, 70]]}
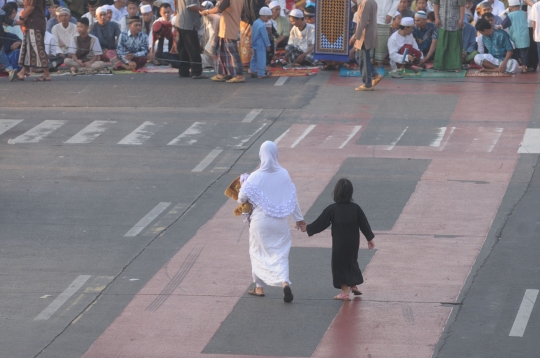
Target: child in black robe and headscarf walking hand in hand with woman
{"points": [[346, 218]]}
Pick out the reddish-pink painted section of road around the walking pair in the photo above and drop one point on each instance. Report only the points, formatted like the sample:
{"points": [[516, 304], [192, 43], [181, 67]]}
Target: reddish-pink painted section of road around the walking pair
{"points": [[420, 264]]}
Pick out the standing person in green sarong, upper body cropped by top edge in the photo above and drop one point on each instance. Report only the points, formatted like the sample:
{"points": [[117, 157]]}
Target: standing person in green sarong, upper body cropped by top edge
{"points": [[449, 15]]}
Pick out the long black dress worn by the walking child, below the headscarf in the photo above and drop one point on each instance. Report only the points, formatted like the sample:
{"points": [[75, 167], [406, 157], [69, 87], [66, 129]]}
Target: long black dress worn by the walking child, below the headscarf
{"points": [[346, 218]]}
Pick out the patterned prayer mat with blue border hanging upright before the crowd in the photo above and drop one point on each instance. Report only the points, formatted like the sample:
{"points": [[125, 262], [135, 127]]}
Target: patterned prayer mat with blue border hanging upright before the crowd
{"points": [[332, 30]]}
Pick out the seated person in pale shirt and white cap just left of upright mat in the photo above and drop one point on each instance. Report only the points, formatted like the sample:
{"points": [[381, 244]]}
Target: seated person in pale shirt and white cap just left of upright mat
{"points": [[299, 50]]}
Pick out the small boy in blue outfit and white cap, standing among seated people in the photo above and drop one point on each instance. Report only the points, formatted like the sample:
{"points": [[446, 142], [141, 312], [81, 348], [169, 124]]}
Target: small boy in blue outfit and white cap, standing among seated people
{"points": [[260, 43]]}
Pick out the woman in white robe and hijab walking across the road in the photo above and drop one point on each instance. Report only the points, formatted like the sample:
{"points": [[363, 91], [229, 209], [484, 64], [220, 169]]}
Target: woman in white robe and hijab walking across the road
{"points": [[273, 195]]}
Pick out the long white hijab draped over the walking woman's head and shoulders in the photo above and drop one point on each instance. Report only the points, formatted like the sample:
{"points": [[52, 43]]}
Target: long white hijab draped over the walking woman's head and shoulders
{"points": [[270, 187]]}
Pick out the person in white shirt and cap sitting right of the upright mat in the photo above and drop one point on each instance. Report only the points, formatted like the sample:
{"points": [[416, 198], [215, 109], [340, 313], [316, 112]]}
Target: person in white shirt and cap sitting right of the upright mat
{"points": [[402, 46]]}
